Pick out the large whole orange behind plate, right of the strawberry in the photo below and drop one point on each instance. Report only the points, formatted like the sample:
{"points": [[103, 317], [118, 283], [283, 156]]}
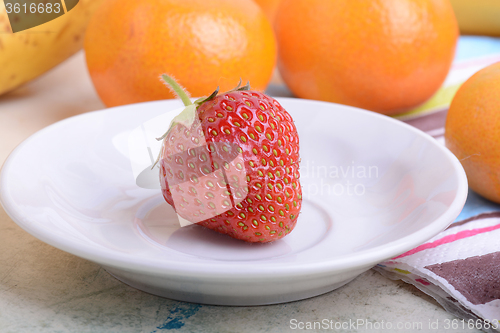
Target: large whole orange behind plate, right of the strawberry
{"points": [[383, 55]]}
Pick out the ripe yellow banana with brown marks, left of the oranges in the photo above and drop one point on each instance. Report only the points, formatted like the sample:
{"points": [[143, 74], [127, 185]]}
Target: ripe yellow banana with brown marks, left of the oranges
{"points": [[27, 54]]}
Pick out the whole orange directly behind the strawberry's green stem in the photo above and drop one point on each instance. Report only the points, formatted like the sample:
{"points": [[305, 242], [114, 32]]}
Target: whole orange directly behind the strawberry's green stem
{"points": [[203, 44]]}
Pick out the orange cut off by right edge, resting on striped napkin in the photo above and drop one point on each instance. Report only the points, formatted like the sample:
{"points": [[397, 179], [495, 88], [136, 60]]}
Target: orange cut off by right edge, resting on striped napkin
{"points": [[472, 130]]}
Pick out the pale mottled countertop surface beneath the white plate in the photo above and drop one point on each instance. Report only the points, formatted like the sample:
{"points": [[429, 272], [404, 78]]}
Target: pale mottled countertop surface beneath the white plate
{"points": [[43, 289]]}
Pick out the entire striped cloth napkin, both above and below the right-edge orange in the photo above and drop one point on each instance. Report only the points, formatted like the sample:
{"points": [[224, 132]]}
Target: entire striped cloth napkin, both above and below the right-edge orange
{"points": [[460, 267]]}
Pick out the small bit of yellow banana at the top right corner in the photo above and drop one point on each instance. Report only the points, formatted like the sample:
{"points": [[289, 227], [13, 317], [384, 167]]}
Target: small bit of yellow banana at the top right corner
{"points": [[478, 17]]}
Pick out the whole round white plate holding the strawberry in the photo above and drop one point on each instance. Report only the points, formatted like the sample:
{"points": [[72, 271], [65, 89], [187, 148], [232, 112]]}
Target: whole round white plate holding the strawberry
{"points": [[373, 188]]}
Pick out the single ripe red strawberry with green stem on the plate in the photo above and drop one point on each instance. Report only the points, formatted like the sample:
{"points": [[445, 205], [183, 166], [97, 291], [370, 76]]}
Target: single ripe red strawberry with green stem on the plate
{"points": [[229, 162]]}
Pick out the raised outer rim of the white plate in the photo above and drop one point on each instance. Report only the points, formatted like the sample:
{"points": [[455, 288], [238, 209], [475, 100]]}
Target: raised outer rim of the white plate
{"points": [[364, 258]]}
